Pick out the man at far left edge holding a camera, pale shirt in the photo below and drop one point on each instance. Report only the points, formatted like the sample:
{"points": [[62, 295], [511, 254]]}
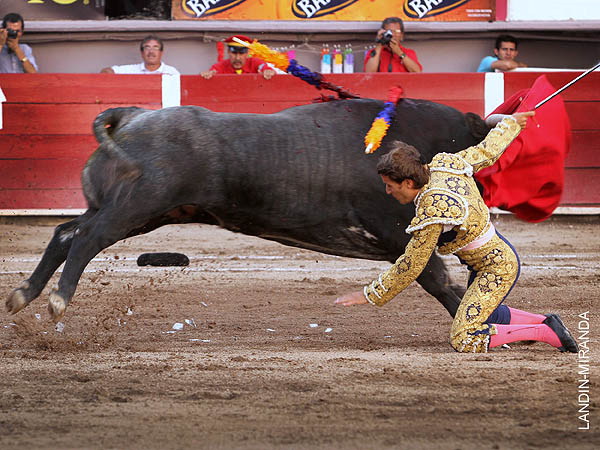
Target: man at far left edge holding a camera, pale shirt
{"points": [[15, 57]]}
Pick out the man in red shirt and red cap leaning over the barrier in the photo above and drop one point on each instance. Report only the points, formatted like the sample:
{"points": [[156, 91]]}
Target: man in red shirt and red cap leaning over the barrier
{"points": [[239, 62]]}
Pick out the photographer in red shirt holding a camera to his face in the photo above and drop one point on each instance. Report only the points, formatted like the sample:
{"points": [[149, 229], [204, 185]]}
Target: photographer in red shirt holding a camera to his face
{"points": [[389, 55]]}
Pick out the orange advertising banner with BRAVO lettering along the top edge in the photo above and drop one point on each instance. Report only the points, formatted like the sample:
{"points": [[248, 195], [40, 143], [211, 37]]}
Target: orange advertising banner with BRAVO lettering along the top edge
{"points": [[348, 10]]}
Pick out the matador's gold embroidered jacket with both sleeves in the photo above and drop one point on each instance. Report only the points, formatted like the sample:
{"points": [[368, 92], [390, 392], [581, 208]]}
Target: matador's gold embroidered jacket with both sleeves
{"points": [[449, 201]]}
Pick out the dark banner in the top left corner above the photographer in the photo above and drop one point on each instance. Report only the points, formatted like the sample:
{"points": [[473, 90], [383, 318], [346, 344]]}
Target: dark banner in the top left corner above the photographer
{"points": [[54, 9]]}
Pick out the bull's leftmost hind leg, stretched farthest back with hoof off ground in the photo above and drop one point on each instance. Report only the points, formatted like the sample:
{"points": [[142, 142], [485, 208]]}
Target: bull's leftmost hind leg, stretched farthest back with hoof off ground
{"points": [[53, 257]]}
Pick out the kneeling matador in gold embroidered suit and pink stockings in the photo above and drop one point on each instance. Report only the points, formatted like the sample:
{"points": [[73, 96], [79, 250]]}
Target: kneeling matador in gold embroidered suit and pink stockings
{"points": [[451, 215]]}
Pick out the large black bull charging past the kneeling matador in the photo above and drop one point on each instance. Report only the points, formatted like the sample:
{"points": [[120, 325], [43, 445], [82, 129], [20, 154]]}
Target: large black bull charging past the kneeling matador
{"points": [[299, 177]]}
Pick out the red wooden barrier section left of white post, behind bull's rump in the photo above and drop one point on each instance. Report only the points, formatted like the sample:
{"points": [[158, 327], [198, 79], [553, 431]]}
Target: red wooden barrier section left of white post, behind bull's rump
{"points": [[47, 133]]}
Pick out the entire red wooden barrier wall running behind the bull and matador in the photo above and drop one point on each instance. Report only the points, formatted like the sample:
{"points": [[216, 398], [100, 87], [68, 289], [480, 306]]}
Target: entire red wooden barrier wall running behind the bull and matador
{"points": [[47, 135]]}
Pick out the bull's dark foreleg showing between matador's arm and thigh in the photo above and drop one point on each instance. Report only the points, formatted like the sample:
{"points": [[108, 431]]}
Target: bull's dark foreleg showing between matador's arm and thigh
{"points": [[436, 281]]}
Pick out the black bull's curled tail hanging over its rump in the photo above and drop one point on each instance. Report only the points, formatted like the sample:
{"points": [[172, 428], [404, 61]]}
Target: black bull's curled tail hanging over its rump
{"points": [[105, 125]]}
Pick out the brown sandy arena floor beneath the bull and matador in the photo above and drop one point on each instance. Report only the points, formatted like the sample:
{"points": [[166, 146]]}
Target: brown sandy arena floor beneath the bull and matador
{"points": [[266, 361]]}
